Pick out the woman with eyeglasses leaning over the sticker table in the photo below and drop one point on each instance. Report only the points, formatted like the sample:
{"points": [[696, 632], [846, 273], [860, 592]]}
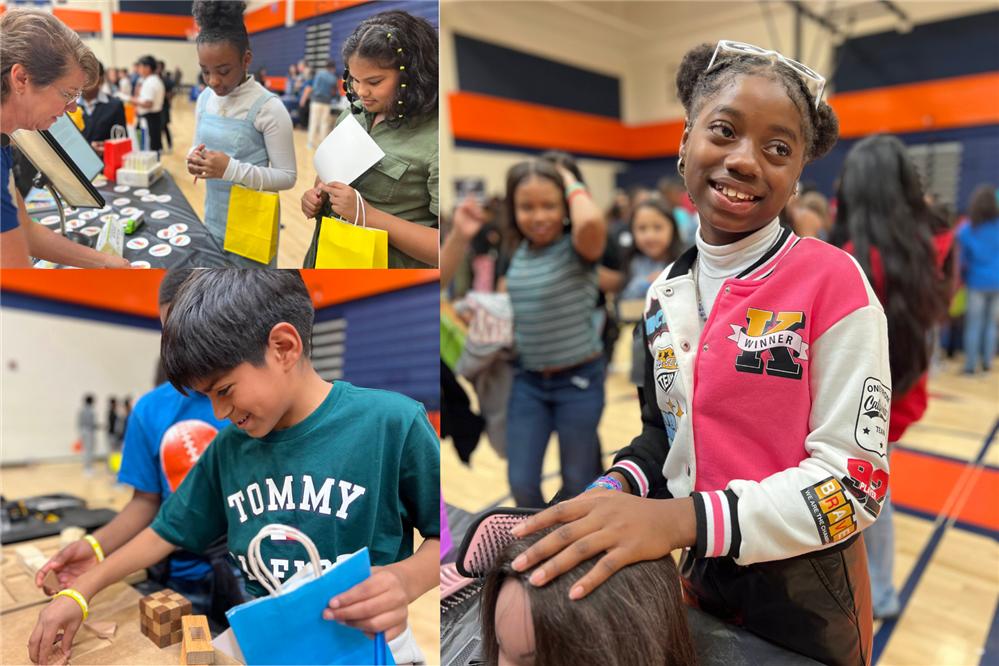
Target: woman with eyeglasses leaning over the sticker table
{"points": [[43, 67]]}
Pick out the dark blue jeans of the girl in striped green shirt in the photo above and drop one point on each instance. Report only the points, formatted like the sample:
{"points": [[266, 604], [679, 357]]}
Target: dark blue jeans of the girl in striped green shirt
{"points": [[570, 403]]}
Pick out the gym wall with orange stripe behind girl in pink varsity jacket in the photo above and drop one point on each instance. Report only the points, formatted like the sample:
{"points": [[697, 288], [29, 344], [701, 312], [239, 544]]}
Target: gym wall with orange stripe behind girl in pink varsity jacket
{"points": [[492, 126]]}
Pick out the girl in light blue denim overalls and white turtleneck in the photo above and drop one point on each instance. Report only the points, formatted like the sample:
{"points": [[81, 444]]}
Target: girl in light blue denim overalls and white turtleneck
{"points": [[230, 148]]}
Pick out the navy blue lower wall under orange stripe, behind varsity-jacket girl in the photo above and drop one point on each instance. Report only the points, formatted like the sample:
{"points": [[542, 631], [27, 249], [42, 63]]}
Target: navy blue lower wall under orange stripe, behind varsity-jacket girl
{"points": [[979, 162]]}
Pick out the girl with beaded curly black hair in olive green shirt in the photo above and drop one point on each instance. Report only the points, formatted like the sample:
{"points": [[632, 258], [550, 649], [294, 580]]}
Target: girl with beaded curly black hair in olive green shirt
{"points": [[390, 75]]}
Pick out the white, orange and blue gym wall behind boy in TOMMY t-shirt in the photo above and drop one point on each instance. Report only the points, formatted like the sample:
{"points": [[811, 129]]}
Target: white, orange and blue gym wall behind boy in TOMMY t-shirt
{"points": [[63, 340]]}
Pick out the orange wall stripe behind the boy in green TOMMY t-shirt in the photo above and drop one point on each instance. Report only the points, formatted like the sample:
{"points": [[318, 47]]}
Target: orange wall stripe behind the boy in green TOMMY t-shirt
{"points": [[137, 292]]}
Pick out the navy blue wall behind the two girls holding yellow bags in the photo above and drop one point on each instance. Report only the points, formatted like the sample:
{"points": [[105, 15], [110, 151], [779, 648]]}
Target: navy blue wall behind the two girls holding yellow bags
{"points": [[278, 48]]}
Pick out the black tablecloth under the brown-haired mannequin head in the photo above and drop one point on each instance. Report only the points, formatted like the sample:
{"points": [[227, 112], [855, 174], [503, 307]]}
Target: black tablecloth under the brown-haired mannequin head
{"points": [[718, 643]]}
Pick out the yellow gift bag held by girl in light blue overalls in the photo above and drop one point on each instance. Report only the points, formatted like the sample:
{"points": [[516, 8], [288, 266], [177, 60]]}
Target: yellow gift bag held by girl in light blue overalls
{"points": [[251, 229]]}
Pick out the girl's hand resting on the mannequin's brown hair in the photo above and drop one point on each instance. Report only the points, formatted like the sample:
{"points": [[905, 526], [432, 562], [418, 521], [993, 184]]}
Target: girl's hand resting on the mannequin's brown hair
{"points": [[625, 528]]}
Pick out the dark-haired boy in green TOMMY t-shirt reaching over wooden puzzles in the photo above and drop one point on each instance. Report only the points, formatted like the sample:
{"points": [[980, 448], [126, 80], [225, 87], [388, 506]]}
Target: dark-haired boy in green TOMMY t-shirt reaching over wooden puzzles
{"points": [[350, 467]]}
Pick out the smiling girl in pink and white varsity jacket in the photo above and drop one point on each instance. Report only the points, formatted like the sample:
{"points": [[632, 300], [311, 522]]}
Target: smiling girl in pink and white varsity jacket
{"points": [[767, 386]]}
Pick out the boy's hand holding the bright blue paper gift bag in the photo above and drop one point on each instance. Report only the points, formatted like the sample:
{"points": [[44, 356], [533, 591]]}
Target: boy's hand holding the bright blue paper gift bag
{"points": [[378, 604]]}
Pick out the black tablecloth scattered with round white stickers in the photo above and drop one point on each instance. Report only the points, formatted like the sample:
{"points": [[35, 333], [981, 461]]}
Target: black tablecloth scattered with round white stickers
{"points": [[202, 252]]}
